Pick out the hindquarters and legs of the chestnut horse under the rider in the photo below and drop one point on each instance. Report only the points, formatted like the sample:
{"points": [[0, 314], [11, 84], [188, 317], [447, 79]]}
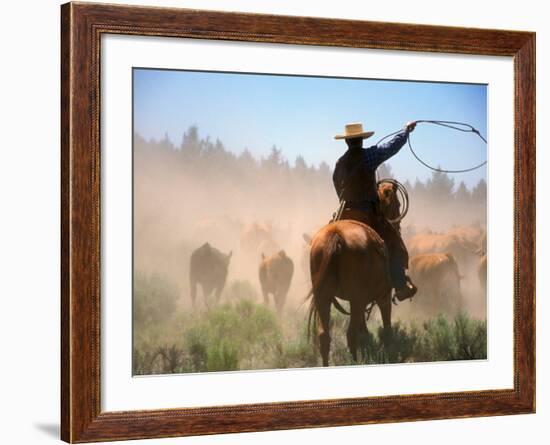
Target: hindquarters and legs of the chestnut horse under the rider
{"points": [[348, 260]]}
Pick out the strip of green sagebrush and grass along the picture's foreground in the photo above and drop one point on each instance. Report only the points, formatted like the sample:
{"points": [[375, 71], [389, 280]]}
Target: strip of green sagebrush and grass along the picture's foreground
{"points": [[242, 334]]}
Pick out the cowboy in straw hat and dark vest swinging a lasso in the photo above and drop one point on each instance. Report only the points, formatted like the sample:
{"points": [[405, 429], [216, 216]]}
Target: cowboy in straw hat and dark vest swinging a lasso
{"points": [[355, 182]]}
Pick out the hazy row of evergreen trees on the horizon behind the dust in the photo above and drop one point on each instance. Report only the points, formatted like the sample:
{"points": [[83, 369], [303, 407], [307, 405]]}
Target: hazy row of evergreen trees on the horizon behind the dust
{"points": [[202, 156]]}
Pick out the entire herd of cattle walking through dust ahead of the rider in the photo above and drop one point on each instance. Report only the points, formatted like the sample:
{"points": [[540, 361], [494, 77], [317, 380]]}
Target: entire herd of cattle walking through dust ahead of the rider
{"points": [[439, 264]]}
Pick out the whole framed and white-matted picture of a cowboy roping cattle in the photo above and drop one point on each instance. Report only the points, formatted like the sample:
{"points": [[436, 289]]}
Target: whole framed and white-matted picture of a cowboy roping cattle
{"points": [[274, 222]]}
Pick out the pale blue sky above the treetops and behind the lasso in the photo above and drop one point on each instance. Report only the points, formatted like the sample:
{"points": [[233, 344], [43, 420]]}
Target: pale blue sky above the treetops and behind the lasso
{"points": [[301, 115]]}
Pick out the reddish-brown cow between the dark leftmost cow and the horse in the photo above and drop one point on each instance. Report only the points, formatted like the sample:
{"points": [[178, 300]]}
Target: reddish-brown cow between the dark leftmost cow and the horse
{"points": [[275, 275]]}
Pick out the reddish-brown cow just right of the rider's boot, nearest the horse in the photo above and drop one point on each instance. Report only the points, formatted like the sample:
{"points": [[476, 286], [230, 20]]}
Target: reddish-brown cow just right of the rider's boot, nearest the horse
{"points": [[438, 281]]}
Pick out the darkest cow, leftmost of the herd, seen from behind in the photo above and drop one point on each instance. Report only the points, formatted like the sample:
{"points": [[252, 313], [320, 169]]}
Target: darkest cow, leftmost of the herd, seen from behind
{"points": [[208, 267]]}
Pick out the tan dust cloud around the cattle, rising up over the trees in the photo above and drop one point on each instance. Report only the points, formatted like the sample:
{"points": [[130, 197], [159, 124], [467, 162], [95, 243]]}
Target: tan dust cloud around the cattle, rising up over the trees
{"points": [[185, 196]]}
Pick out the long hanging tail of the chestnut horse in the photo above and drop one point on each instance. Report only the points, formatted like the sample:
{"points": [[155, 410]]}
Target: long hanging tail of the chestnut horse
{"points": [[328, 253]]}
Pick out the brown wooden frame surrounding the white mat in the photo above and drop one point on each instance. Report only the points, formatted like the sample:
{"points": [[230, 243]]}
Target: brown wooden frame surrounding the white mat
{"points": [[81, 28]]}
